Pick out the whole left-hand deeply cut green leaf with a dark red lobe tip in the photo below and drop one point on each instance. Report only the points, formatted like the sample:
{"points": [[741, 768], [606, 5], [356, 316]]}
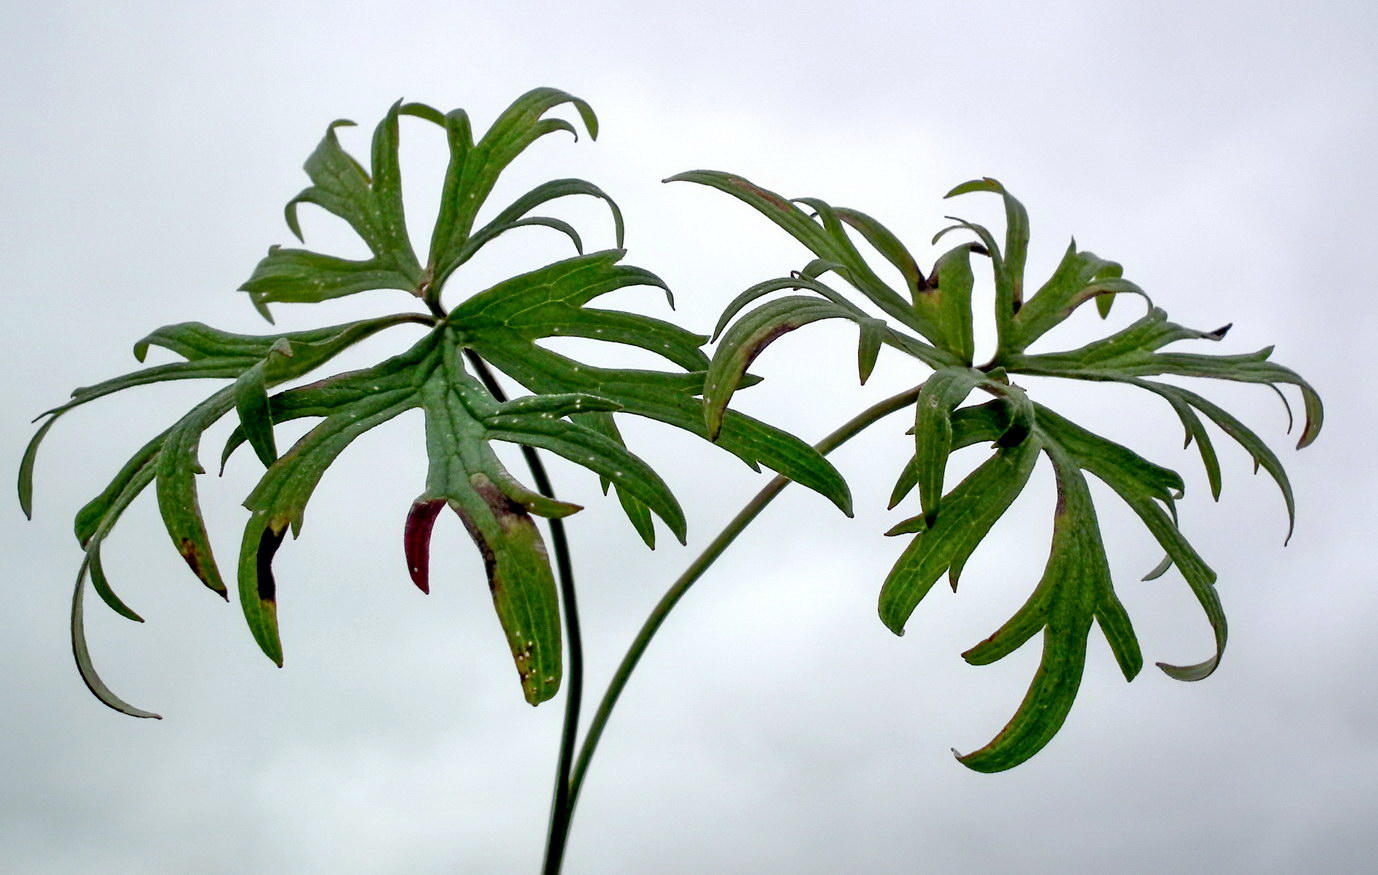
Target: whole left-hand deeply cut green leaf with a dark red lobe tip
{"points": [[571, 413]]}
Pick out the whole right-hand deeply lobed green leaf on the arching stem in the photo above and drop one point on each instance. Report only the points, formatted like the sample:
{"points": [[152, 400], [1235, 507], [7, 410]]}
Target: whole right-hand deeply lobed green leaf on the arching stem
{"points": [[1076, 592]]}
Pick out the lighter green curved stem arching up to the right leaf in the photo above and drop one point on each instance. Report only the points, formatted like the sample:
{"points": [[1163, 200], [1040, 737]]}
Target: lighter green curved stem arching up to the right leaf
{"points": [[697, 568]]}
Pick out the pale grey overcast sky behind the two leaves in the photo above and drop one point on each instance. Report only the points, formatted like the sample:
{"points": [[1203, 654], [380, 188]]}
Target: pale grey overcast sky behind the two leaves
{"points": [[1222, 151]]}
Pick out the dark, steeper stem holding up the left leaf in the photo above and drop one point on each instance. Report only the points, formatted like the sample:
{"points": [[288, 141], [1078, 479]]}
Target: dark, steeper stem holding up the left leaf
{"points": [[562, 801]]}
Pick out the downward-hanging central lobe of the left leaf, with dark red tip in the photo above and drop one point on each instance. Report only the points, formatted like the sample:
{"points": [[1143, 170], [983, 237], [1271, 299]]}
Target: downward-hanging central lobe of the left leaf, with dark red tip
{"points": [[462, 420]]}
